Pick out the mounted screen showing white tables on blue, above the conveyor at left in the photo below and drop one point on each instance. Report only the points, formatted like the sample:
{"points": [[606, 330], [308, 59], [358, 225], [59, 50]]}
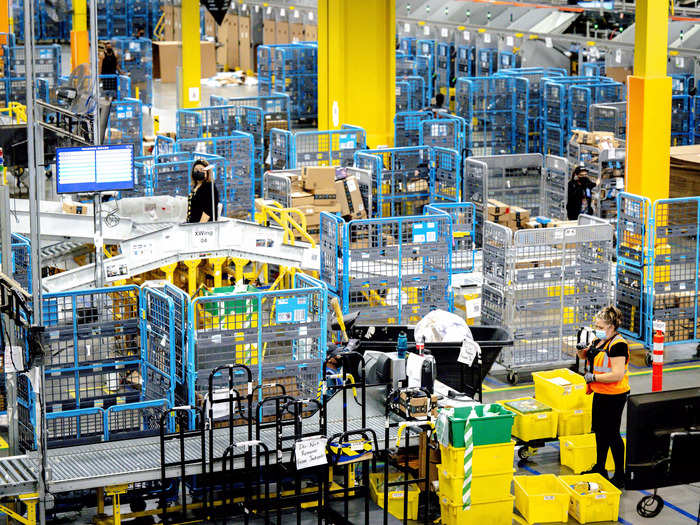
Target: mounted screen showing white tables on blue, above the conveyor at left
{"points": [[95, 168]]}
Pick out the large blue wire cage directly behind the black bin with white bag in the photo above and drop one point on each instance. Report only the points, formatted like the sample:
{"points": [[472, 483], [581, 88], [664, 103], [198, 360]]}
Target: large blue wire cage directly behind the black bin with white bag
{"points": [[393, 270]]}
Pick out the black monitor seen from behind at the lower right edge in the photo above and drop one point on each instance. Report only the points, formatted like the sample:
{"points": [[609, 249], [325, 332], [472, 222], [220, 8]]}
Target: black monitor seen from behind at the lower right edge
{"points": [[663, 436]]}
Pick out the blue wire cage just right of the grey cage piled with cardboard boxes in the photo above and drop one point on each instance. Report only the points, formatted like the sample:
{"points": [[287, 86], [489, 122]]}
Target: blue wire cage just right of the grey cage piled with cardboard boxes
{"points": [[403, 180]]}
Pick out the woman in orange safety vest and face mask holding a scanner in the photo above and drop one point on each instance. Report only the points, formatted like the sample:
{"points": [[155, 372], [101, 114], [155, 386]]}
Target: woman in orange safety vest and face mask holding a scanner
{"points": [[607, 361]]}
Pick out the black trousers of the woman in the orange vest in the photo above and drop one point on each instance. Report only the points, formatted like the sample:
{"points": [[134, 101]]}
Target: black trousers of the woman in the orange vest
{"points": [[607, 418]]}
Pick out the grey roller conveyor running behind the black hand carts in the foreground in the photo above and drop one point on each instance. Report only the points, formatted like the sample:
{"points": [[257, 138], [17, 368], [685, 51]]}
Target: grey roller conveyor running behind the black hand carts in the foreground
{"points": [[128, 461]]}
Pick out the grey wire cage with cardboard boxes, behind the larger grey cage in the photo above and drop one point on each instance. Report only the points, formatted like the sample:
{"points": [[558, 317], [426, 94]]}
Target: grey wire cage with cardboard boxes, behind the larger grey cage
{"points": [[532, 181]]}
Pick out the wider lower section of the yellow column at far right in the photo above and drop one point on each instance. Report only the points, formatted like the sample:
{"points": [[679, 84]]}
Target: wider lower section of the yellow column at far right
{"points": [[648, 136]]}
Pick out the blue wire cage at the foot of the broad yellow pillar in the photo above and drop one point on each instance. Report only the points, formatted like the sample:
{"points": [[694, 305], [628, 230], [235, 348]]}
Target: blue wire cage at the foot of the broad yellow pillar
{"points": [[337, 147]]}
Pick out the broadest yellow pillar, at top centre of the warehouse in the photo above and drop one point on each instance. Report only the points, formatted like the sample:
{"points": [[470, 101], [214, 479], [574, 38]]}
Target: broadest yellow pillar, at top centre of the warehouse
{"points": [[356, 66]]}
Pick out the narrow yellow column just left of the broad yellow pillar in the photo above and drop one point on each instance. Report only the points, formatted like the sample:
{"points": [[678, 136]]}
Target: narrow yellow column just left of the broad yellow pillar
{"points": [[191, 55]]}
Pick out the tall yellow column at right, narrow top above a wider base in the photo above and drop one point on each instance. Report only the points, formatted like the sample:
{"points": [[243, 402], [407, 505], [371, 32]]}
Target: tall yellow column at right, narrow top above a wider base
{"points": [[649, 104]]}
